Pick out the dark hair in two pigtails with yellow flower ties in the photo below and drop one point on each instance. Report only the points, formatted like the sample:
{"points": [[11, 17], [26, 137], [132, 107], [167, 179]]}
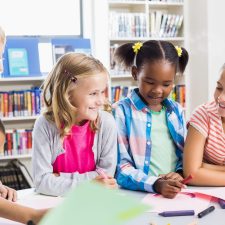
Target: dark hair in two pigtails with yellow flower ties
{"points": [[128, 55]]}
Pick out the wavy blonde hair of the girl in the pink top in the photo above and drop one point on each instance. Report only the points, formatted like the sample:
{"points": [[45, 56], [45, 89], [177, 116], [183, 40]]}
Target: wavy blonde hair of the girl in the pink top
{"points": [[56, 88]]}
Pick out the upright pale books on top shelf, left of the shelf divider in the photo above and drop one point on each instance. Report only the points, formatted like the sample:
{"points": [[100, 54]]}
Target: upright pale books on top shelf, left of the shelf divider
{"points": [[127, 24]]}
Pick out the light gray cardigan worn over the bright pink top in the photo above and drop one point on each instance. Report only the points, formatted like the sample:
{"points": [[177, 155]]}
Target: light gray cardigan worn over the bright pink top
{"points": [[47, 146]]}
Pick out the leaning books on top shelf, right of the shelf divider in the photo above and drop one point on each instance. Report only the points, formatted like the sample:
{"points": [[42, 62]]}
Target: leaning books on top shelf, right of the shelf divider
{"points": [[165, 25]]}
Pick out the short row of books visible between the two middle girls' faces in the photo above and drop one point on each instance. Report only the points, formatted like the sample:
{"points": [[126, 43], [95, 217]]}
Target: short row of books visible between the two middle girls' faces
{"points": [[120, 92]]}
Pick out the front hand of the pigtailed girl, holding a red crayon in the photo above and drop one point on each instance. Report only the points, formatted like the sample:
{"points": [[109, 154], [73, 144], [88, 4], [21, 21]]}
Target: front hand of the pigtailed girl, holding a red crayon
{"points": [[168, 188]]}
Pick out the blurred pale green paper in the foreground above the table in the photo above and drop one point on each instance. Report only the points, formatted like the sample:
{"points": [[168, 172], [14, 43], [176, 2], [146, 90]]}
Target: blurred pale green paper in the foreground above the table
{"points": [[93, 204]]}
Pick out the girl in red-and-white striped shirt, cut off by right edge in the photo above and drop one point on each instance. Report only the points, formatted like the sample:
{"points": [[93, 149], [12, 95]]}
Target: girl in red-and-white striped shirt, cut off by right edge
{"points": [[204, 152]]}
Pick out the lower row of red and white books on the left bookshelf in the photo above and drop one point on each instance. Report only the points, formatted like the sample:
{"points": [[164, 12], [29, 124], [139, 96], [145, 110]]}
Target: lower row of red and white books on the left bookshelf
{"points": [[17, 142]]}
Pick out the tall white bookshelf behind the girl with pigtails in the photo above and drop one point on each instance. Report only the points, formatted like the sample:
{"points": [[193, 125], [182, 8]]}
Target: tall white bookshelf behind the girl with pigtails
{"points": [[142, 20]]}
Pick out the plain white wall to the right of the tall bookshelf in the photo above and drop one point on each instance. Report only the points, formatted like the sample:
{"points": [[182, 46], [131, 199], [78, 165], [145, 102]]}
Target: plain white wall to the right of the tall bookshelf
{"points": [[206, 44]]}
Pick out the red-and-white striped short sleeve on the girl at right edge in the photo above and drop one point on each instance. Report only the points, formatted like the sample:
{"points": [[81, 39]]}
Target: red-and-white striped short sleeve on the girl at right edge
{"points": [[199, 120]]}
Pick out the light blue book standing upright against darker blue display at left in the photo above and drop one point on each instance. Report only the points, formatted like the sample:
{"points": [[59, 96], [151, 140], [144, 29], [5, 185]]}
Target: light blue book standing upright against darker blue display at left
{"points": [[18, 62]]}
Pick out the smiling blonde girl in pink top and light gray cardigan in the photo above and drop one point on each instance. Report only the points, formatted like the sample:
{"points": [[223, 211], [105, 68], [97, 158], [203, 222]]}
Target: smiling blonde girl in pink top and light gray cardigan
{"points": [[74, 136]]}
